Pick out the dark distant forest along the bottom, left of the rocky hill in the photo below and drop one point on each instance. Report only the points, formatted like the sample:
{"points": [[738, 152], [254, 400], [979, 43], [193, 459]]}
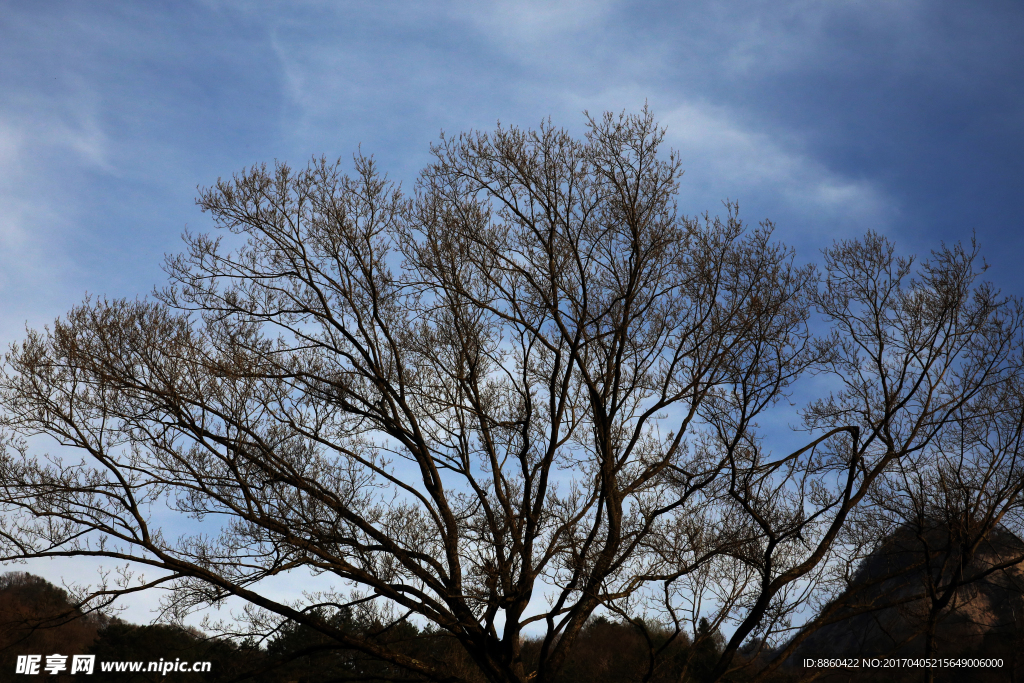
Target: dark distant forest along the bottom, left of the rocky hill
{"points": [[38, 618]]}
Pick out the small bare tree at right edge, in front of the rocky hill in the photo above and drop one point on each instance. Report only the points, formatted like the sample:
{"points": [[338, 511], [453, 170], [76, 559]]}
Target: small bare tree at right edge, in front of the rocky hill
{"points": [[955, 501]]}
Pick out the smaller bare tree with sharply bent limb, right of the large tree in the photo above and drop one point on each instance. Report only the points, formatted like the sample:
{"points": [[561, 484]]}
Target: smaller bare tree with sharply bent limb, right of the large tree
{"points": [[920, 359]]}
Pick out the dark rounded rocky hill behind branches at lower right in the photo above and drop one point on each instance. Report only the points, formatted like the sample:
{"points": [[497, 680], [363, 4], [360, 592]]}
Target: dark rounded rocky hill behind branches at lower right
{"points": [[887, 608]]}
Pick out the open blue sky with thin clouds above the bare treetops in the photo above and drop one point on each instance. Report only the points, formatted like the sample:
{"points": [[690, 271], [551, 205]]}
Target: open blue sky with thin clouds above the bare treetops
{"points": [[830, 117]]}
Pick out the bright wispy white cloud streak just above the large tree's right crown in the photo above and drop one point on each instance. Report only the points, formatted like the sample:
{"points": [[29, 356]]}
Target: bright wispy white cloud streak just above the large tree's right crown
{"points": [[738, 156]]}
